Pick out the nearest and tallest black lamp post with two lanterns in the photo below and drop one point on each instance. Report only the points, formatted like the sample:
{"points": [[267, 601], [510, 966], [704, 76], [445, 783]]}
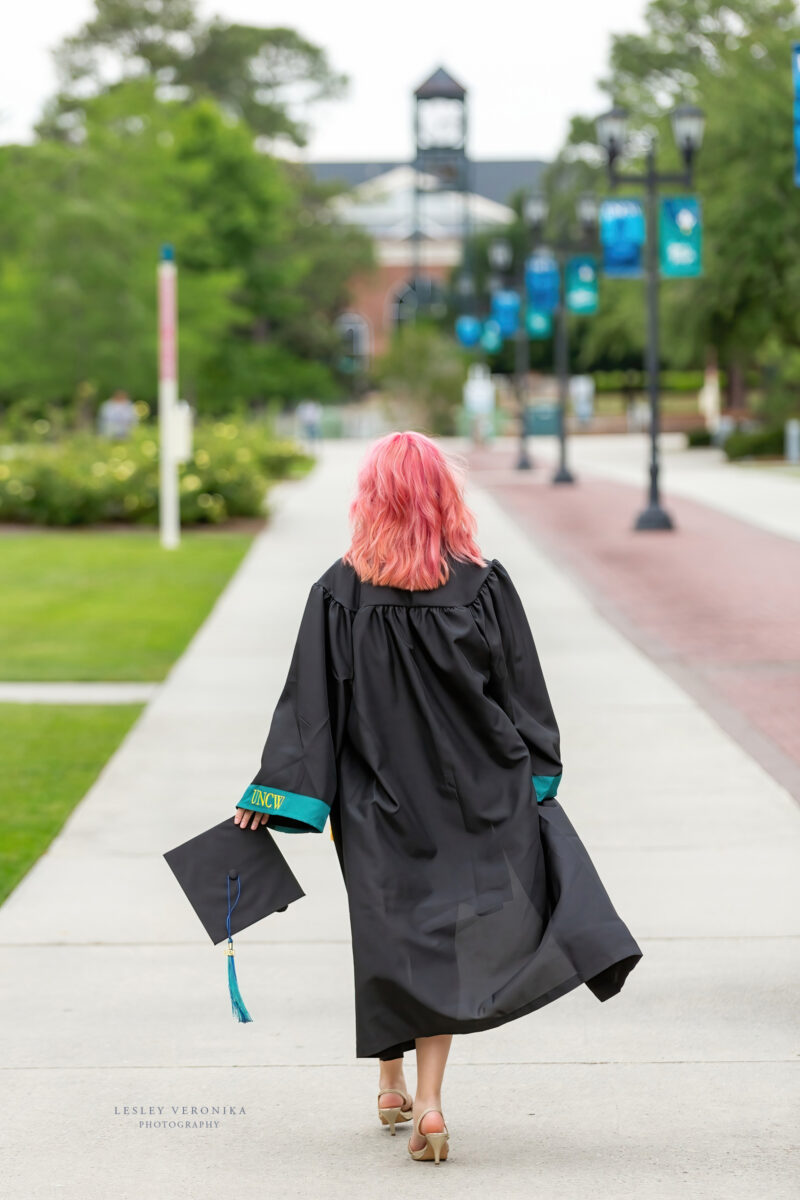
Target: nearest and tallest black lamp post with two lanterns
{"points": [[688, 125]]}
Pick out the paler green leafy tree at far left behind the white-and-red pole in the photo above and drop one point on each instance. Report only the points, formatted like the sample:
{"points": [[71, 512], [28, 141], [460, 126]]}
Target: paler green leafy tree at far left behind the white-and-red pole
{"points": [[77, 289]]}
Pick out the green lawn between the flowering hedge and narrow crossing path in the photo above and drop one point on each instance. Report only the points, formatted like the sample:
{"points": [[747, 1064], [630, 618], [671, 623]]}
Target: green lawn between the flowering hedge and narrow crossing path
{"points": [[106, 605]]}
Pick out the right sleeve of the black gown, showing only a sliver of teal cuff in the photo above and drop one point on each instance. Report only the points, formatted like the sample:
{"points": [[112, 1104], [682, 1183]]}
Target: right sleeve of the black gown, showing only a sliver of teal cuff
{"points": [[519, 681]]}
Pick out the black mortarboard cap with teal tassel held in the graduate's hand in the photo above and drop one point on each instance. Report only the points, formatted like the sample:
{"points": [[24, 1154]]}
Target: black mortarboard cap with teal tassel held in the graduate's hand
{"points": [[233, 878]]}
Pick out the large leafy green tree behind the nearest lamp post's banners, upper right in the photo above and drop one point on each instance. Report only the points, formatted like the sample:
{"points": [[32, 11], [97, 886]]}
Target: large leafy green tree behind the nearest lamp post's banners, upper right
{"points": [[733, 62]]}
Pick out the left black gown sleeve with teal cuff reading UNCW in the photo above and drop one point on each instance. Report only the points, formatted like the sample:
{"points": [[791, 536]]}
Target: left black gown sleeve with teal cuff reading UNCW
{"points": [[298, 781]]}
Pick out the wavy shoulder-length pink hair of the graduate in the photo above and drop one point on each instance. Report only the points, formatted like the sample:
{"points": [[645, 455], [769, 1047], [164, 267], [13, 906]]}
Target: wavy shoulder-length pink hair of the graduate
{"points": [[408, 515]]}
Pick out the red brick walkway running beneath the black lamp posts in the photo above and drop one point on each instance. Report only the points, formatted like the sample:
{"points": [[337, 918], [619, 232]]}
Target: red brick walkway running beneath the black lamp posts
{"points": [[717, 602]]}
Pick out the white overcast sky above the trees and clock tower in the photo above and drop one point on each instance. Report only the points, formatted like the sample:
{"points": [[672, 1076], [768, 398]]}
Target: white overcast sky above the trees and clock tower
{"points": [[528, 68]]}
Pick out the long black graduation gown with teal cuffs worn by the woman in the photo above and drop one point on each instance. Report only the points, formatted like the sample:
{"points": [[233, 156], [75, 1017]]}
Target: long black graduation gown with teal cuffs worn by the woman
{"points": [[420, 723]]}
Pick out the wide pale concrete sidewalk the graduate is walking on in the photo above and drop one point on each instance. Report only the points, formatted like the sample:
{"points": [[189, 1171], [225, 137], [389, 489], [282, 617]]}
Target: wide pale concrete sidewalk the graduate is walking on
{"points": [[684, 1085]]}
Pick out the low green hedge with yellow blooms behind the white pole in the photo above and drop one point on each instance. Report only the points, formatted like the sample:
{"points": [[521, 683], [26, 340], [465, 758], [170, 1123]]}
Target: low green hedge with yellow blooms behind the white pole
{"points": [[87, 479]]}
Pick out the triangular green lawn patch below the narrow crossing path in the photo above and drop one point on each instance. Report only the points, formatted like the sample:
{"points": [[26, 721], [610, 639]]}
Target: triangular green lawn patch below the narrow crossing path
{"points": [[51, 755]]}
